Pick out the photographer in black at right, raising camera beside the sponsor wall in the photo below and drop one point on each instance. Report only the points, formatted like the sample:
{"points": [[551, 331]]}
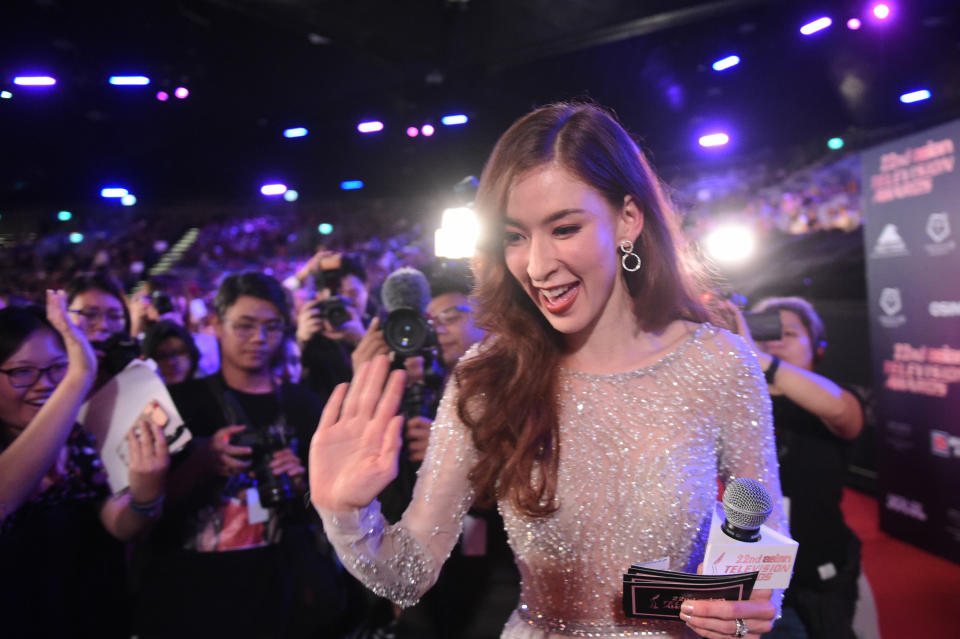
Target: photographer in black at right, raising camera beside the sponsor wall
{"points": [[815, 421]]}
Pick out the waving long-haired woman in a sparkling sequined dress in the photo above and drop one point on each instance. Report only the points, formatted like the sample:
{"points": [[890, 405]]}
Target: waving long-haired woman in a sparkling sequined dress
{"points": [[598, 414]]}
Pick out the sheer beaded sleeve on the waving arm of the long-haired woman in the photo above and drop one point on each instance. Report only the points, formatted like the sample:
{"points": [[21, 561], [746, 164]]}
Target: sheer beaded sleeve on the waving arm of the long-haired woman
{"points": [[402, 561]]}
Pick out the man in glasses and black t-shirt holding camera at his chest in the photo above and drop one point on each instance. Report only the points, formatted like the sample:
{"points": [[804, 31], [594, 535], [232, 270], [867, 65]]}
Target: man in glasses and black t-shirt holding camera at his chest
{"points": [[239, 554]]}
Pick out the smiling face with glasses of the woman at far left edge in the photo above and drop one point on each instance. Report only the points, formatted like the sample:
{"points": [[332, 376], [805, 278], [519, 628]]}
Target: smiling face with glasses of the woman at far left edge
{"points": [[20, 405]]}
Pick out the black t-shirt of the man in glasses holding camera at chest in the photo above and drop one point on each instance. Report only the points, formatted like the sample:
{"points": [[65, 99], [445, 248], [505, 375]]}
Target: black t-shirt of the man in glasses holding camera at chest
{"points": [[212, 569]]}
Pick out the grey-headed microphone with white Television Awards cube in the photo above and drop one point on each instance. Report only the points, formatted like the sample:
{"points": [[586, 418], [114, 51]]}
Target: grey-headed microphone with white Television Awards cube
{"points": [[740, 542]]}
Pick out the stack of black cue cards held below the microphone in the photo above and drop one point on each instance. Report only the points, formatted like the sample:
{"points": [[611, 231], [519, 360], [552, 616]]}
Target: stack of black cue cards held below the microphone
{"points": [[658, 594]]}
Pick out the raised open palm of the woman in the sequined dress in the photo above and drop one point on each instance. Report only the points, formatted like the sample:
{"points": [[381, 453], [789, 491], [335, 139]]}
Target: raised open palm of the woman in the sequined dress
{"points": [[353, 453]]}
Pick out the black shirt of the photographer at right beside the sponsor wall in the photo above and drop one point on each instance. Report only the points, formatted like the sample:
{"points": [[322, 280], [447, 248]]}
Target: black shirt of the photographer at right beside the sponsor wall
{"points": [[813, 464]]}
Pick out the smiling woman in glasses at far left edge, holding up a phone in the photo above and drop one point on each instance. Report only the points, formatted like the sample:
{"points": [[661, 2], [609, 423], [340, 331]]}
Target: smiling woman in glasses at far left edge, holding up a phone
{"points": [[60, 528]]}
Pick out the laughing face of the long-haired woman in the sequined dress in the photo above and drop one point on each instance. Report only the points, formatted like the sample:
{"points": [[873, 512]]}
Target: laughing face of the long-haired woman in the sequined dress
{"points": [[560, 245]]}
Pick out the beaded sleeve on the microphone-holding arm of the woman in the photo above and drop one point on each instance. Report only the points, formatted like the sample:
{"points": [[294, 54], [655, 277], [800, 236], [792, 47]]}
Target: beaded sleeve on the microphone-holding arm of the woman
{"points": [[746, 446]]}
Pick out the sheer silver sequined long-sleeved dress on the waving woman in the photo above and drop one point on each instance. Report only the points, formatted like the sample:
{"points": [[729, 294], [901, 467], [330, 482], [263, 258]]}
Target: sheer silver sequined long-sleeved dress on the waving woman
{"points": [[640, 455]]}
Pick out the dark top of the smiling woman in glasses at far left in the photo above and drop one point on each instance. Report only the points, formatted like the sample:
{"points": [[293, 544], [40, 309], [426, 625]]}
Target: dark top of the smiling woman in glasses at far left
{"points": [[61, 573]]}
